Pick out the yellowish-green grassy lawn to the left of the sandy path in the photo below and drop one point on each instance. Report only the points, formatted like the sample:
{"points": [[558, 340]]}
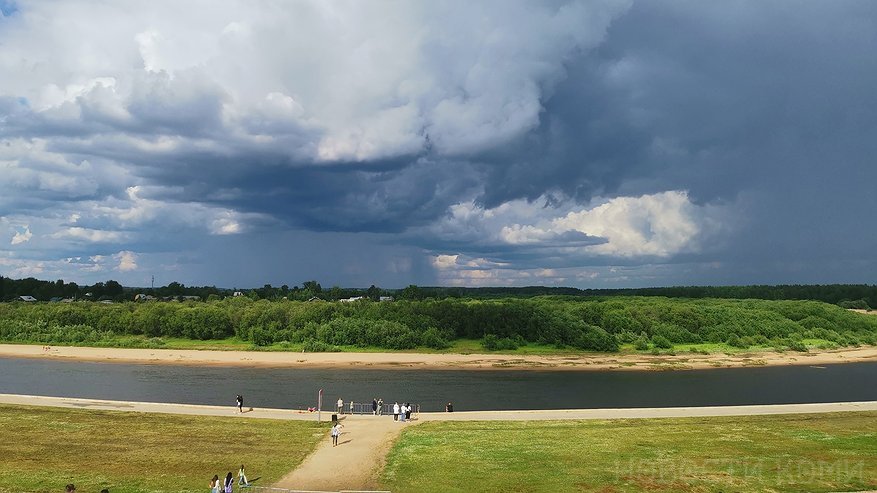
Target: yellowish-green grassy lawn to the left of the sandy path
{"points": [[43, 449]]}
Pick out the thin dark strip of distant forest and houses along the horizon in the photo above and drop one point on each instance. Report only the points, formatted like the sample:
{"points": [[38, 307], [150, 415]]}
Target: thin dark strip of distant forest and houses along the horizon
{"points": [[847, 295]]}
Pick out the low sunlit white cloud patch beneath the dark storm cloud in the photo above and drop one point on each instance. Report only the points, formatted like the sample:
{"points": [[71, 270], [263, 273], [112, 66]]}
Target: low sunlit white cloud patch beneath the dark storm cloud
{"points": [[656, 226]]}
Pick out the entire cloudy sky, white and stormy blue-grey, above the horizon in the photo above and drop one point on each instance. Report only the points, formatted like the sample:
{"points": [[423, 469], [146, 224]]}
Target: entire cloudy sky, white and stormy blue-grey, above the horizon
{"points": [[588, 144]]}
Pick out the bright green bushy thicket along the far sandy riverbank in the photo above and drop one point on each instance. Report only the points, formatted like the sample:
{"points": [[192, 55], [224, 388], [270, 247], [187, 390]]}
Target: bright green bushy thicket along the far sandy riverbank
{"points": [[596, 324]]}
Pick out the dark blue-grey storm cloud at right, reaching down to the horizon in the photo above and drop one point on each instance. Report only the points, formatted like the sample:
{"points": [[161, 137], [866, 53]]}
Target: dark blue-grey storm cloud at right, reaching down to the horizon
{"points": [[769, 106]]}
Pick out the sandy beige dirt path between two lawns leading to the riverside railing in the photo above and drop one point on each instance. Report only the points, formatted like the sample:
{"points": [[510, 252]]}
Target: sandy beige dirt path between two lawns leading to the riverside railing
{"points": [[354, 464]]}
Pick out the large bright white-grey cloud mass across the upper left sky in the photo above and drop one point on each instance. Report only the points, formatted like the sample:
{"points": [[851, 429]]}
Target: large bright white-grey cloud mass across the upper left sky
{"points": [[318, 80]]}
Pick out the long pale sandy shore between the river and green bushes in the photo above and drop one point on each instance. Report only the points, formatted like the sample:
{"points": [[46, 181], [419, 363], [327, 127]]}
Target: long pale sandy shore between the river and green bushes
{"points": [[686, 361]]}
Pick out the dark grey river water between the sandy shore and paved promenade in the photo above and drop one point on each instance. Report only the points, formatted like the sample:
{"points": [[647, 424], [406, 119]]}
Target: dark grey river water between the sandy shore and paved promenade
{"points": [[293, 388]]}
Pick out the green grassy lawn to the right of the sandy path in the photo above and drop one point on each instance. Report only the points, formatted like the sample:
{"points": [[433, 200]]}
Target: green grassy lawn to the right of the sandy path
{"points": [[800, 453]]}
